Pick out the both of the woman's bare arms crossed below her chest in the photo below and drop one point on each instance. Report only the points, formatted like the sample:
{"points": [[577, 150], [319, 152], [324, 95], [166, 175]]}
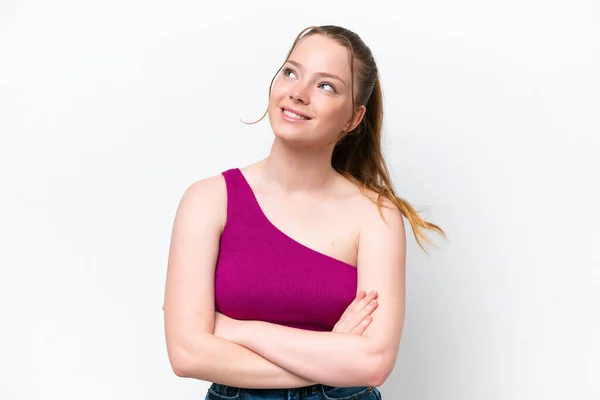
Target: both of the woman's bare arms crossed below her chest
{"points": [[206, 345]]}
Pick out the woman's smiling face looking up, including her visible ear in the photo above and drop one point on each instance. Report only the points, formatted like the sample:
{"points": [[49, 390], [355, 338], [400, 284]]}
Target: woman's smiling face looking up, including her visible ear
{"points": [[315, 83]]}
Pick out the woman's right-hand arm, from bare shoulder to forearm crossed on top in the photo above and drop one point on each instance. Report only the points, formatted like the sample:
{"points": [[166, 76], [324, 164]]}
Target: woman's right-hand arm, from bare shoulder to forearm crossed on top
{"points": [[343, 359]]}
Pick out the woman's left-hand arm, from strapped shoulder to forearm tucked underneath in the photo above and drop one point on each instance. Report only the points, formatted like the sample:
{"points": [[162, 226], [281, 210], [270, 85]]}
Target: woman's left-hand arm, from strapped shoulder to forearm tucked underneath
{"points": [[189, 308]]}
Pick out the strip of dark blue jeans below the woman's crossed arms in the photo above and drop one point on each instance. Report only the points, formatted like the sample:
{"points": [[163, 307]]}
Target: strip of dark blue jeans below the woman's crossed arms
{"points": [[315, 392]]}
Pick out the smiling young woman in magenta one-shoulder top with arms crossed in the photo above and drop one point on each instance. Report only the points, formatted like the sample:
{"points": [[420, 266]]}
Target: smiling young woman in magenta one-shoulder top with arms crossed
{"points": [[286, 278]]}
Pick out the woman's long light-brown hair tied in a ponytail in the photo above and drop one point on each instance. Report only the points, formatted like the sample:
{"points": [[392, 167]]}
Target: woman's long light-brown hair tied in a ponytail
{"points": [[357, 154]]}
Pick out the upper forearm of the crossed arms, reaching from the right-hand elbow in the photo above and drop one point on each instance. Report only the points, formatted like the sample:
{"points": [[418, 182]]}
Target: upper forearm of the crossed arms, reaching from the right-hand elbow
{"points": [[331, 358]]}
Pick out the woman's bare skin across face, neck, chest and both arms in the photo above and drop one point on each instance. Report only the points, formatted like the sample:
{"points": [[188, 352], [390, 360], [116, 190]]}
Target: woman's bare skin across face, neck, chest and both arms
{"points": [[301, 194]]}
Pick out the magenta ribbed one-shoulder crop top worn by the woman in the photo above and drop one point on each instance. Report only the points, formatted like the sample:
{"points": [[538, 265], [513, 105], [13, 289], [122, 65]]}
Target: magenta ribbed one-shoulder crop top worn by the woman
{"points": [[263, 274]]}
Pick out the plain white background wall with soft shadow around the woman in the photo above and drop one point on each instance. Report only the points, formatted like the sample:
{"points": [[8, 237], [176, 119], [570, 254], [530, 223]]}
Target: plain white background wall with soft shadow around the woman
{"points": [[109, 110]]}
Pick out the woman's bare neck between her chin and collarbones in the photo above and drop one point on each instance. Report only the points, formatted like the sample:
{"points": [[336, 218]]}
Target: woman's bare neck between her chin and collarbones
{"points": [[295, 168]]}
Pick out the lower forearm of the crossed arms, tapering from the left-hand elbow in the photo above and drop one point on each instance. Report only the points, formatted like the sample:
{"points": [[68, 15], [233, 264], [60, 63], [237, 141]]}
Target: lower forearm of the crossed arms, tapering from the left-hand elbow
{"points": [[230, 364]]}
